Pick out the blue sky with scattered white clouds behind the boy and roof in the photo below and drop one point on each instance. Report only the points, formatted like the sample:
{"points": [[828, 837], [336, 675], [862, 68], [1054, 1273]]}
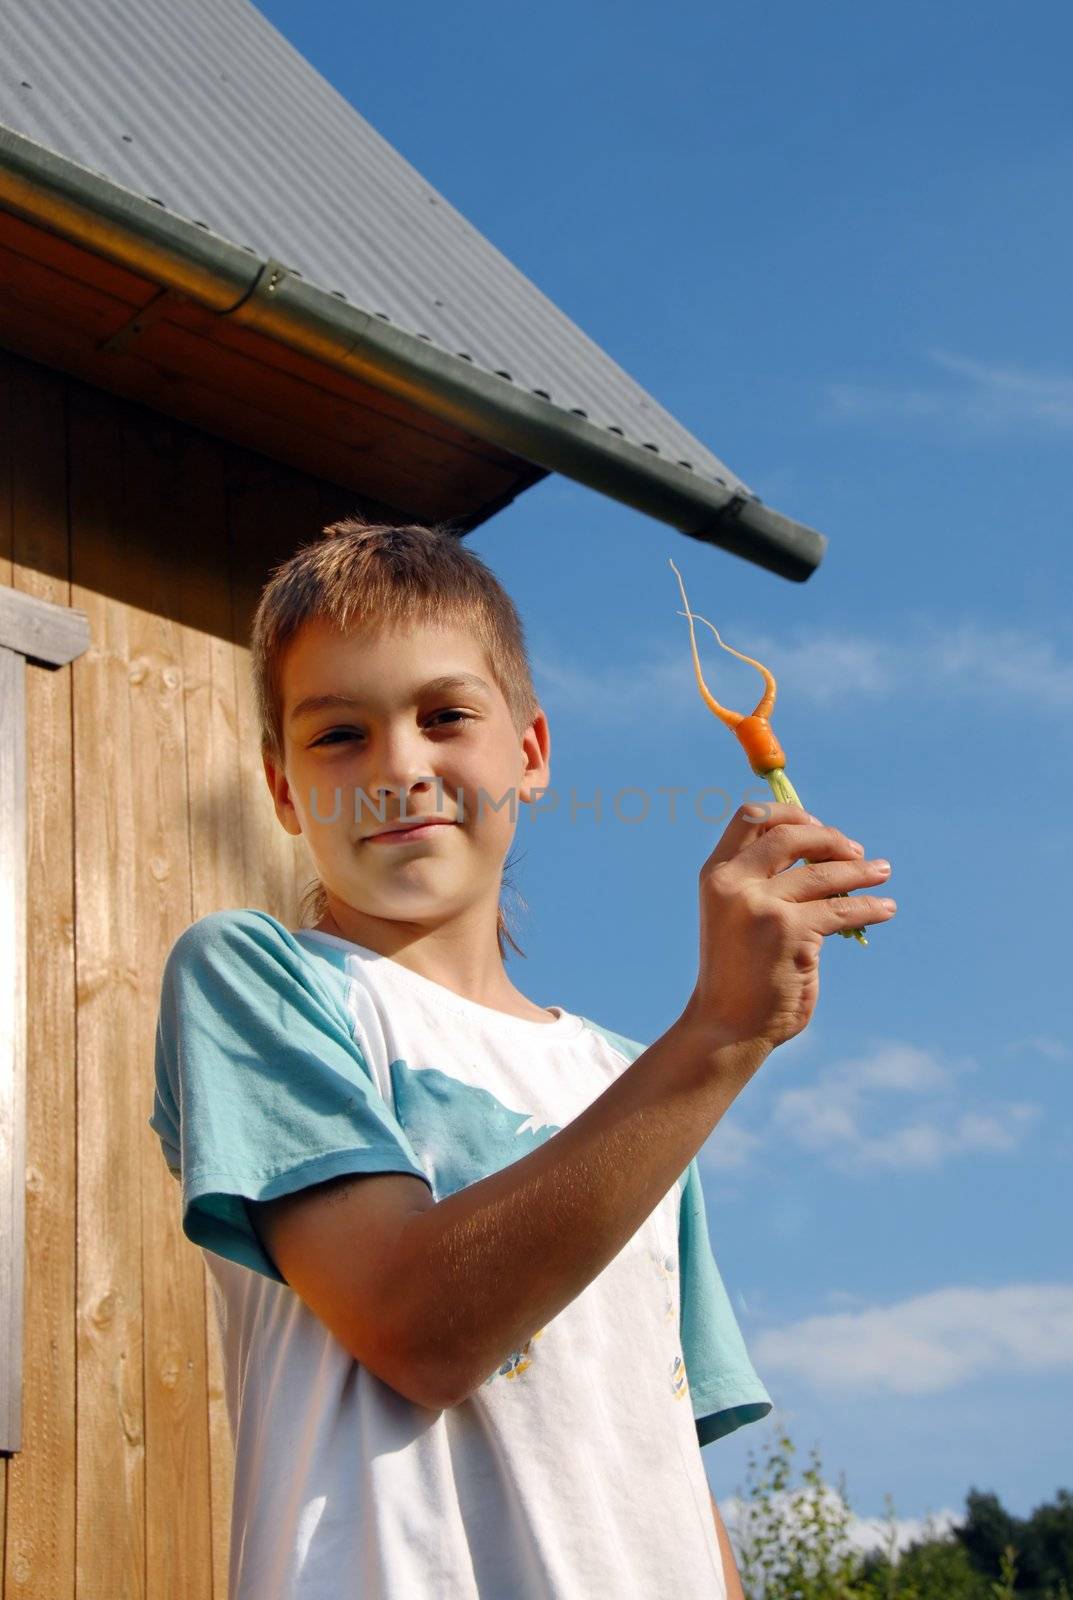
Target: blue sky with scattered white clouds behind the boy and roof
{"points": [[837, 244]]}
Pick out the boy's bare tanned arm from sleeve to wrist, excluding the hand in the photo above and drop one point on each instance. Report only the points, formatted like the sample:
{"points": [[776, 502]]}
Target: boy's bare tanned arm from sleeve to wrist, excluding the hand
{"points": [[433, 1295]]}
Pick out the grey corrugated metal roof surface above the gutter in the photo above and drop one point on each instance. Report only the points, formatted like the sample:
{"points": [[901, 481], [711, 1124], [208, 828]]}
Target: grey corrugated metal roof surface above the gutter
{"points": [[205, 110]]}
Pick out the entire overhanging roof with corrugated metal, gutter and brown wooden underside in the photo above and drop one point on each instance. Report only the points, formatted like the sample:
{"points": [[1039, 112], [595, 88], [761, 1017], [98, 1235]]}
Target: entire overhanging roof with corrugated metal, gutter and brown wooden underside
{"points": [[277, 255]]}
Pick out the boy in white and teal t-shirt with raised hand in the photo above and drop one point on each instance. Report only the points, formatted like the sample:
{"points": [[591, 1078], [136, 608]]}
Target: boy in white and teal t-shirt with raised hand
{"points": [[473, 1327]]}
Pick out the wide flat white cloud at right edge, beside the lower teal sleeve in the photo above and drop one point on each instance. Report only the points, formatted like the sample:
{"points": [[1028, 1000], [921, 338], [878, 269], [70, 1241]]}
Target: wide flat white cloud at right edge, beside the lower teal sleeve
{"points": [[930, 1343]]}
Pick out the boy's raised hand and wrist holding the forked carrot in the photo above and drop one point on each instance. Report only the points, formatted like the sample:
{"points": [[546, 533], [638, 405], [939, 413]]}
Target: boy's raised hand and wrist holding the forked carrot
{"points": [[764, 922]]}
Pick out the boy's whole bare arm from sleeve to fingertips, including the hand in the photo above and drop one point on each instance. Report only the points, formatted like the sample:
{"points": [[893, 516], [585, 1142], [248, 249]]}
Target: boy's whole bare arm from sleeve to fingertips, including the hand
{"points": [[434, 1295]]}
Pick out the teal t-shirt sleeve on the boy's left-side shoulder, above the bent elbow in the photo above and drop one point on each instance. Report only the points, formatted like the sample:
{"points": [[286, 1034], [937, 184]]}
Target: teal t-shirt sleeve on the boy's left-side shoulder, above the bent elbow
{"points": [[261, 1087]]}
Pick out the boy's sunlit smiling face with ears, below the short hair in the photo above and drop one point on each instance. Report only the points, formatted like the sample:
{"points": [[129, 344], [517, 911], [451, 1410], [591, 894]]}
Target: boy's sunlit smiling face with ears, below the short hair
{"points": [[351, 770]]}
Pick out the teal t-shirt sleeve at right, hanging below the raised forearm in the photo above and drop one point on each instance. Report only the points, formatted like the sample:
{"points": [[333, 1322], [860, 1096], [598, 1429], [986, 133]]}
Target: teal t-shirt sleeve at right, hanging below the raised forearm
{"points": [[727, 1393]]}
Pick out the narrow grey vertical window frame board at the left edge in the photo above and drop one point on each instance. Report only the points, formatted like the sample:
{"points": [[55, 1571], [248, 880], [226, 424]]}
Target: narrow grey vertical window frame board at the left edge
{"points": [[12, 1041]]}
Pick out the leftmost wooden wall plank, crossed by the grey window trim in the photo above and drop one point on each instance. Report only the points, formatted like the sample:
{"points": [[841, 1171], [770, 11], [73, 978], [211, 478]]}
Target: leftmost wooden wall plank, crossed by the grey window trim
{"points": [[41, 1553]]}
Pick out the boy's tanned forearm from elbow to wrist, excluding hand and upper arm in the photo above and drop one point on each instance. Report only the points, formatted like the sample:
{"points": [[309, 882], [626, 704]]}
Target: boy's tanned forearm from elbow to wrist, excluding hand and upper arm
{"points": [[481, 1271]]}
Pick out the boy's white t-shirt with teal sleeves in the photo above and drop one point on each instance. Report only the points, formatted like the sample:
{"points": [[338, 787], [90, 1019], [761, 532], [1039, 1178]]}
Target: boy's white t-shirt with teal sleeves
{"points": [[575, 1471]]}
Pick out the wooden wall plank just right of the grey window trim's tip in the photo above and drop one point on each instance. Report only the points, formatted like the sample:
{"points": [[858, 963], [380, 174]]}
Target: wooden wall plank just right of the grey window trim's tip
{"points": [[111, 1441]]}
